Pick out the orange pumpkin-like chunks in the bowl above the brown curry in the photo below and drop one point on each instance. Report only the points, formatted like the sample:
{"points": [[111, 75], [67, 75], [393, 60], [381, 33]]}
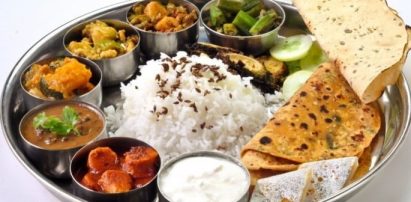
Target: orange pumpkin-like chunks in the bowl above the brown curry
{"points": [[62, 78]]}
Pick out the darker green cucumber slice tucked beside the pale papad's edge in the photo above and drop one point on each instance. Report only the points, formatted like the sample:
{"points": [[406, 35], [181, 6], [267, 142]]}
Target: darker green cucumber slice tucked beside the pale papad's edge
{"points": [[314, 58]]}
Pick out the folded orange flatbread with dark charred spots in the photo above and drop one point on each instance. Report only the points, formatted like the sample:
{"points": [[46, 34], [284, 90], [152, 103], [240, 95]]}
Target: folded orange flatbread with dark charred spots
{"points": [[324, 119]]}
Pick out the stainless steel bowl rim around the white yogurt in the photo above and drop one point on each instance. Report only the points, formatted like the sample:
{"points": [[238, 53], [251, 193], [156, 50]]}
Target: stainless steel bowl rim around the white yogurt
{"points": [[164, 198]]}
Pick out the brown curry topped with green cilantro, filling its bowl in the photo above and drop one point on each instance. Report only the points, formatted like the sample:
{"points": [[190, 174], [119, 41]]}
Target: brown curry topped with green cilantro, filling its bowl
{"points": [[62, 126]]}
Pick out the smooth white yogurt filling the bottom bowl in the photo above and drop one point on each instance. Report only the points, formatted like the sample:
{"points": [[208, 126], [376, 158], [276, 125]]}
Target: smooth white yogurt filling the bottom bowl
{"points": [[204, 179]]}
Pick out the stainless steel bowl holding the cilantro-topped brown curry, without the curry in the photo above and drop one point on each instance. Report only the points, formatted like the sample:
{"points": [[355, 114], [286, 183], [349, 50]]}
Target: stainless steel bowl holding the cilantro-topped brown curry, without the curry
{"points": [[55, 163]]}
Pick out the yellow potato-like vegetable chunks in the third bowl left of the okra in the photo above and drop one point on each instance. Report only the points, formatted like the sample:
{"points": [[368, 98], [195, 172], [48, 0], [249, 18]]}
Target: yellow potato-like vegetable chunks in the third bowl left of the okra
{"points": [[102, 41]]}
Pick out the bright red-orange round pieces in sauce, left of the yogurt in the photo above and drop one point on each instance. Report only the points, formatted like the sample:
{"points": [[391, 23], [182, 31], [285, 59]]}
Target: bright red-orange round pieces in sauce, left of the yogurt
{"points": [[114, 172]]}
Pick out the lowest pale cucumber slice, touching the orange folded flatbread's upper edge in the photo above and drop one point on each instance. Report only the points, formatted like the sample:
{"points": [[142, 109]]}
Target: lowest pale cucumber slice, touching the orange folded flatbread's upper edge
{"points": [[293, 82]]}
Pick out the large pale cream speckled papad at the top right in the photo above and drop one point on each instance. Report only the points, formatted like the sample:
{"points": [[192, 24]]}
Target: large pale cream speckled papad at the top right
{"points": [[366, 38]]}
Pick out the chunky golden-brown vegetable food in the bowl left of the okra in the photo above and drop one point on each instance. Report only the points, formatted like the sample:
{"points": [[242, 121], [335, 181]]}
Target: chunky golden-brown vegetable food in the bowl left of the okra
{"points": [[157, 17]]}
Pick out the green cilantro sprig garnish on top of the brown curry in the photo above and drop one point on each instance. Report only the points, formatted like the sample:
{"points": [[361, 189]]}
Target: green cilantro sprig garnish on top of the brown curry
{"points": [[60, 127]]}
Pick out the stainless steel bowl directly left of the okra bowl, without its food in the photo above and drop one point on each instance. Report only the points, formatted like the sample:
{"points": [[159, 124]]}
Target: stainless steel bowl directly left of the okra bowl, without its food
{"points": [[154, 43]]}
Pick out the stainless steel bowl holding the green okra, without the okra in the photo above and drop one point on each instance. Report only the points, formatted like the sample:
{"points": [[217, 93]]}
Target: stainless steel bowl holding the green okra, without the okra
{"points": [[254, 45]]}
